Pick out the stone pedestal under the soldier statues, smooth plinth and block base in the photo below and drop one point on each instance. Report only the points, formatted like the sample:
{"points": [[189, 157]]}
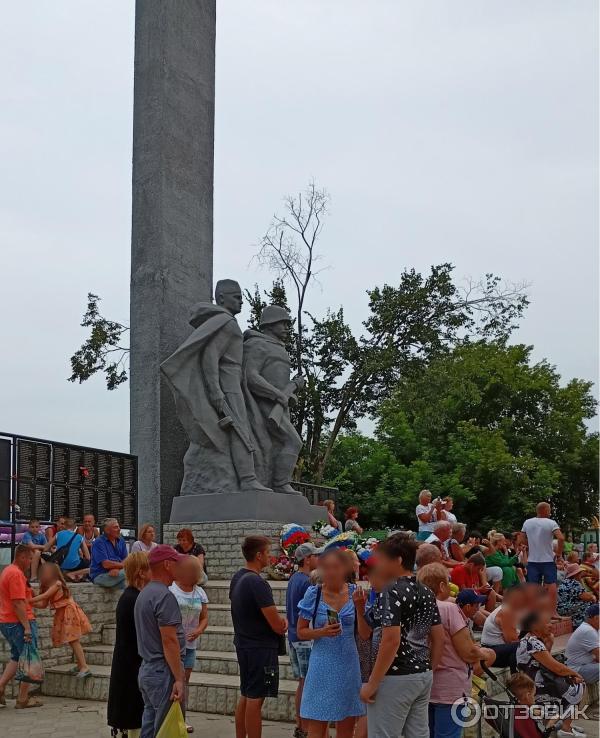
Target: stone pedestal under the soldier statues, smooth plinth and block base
{"points": [[220, 522]]}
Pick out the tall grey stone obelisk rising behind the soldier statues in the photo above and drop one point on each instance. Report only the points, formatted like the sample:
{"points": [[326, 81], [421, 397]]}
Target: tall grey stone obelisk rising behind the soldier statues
{"points": [[172, 224]]}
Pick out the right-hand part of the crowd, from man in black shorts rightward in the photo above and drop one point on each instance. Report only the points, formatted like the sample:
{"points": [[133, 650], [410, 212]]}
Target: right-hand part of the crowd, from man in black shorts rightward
{"points": [[395, 655]]}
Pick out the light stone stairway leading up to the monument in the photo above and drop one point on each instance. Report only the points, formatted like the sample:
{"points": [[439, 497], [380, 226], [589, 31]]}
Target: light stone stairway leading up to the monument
{"points": [[214, 684]]}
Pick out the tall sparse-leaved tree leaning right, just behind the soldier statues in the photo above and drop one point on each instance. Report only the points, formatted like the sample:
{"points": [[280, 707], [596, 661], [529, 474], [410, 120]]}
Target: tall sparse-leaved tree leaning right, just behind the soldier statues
{"points": [[408, 325]]}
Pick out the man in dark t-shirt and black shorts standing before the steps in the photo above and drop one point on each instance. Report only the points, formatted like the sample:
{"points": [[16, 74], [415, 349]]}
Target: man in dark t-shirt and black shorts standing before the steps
{"points": [[257, 628]]}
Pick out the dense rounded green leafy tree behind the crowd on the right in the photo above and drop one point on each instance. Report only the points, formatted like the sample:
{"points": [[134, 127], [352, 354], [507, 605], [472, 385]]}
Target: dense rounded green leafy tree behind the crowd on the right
{"points": [[486, 425]]}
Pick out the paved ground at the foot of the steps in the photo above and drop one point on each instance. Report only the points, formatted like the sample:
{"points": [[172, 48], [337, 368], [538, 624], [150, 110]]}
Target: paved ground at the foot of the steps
{"points": [[67, 718]]}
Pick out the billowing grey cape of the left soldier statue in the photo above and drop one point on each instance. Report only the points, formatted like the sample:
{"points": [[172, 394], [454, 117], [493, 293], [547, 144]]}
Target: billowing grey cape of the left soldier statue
{"points": [[183, 372]]}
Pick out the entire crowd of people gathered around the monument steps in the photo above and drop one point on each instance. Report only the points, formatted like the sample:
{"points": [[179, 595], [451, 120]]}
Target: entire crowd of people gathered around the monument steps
{"points": [[381, 654]]}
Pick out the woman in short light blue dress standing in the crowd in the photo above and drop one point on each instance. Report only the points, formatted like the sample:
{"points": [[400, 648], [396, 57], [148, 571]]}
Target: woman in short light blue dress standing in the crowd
{"points": [[332, 685]]}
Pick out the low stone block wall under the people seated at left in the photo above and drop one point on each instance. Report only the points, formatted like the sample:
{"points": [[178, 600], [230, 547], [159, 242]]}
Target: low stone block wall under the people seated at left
{"points": [[97, 603]]}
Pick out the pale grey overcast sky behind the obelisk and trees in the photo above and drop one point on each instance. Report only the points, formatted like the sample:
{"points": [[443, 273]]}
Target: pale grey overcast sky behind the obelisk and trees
{"points": [[444, 131]]}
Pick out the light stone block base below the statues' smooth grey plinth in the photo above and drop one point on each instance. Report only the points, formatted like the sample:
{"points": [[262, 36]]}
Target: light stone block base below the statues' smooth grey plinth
{"points": [[223, 541]]}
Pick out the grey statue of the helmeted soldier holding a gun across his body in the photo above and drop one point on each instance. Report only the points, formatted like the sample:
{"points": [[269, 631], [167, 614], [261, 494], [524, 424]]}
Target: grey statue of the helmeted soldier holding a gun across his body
{"points": [[268, 392]]}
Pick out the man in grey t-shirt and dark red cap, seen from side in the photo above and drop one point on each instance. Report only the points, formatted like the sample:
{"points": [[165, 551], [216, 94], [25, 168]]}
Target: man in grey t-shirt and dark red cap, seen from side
{"points": [[160, 639]]}
